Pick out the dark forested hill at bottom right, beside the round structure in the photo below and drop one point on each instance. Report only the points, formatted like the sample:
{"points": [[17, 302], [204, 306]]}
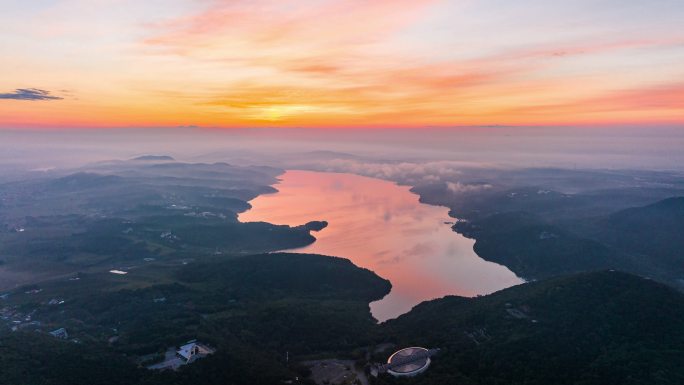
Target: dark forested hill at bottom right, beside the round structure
{"points": [[593, 328]]}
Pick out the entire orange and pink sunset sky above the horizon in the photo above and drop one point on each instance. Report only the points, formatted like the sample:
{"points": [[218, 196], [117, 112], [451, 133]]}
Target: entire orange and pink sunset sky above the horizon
{"points": [[338, 64]]}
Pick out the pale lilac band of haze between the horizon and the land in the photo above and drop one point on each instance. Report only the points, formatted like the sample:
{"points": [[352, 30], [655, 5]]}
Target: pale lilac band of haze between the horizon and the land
{"points": [[380, 152]]}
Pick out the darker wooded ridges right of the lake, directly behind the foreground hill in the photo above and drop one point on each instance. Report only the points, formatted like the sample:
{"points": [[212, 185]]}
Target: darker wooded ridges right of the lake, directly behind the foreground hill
{"points": [[643, 240]]}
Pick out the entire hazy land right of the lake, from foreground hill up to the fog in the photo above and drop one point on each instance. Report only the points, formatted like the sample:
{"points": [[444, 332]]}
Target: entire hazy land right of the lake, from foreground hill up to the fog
{"points": [[542, 223]]}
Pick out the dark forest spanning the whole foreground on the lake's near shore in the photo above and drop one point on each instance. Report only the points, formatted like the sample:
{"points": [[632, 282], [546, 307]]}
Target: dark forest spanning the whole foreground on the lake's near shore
{"points": [[593, 328]]}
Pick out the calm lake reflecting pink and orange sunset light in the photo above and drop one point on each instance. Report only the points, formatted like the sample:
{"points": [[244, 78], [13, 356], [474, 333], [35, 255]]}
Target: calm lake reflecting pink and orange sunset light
{"points": [[382, 226]]}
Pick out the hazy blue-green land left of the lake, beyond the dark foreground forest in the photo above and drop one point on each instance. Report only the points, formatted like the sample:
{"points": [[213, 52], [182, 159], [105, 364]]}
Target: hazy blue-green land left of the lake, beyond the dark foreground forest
{"points": [[117, 214]]}
